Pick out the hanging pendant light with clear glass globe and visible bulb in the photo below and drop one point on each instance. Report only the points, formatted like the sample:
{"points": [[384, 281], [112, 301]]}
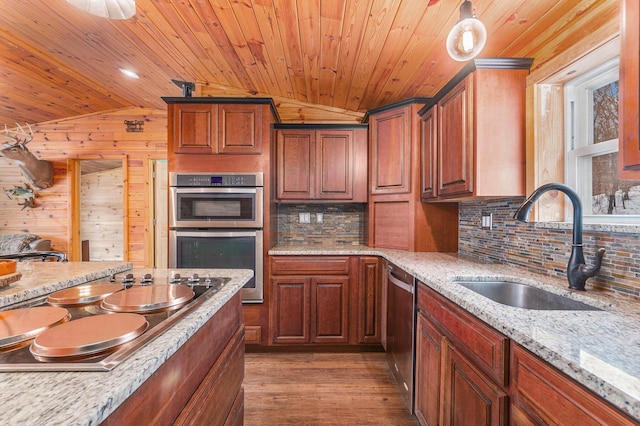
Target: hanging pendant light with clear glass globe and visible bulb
{"points": [[467, 37]]}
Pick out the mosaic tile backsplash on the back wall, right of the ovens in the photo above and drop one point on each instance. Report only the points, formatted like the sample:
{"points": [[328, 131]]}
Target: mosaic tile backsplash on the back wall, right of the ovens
{"points": [[341, 224]]}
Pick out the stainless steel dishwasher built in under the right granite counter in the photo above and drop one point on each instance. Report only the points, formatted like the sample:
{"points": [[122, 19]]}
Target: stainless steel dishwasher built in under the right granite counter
{"points": [[400, 325]]}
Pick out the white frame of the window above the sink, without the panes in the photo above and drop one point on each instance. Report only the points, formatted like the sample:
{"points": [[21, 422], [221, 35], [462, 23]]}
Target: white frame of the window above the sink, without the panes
{"points": [[579, 146]]}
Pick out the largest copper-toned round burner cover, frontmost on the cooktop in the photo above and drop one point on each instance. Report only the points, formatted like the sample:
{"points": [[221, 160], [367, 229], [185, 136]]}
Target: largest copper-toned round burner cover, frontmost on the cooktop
{"points": [[88, 336]]}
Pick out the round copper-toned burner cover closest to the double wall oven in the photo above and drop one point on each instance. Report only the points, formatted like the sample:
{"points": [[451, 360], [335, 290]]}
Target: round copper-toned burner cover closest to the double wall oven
{"points": [[148, 298]]}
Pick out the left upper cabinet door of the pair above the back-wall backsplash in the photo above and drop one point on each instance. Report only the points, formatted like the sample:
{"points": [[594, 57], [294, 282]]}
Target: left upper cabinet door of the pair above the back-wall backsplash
{"points": [[295, 159]]}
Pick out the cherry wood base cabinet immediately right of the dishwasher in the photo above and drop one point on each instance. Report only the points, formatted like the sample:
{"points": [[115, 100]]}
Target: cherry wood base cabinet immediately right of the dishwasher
{"points": [[460, 366]]}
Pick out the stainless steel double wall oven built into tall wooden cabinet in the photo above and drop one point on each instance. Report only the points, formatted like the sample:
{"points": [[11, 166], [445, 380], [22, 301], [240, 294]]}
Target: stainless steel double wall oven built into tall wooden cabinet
{"points": [[216, 221]]}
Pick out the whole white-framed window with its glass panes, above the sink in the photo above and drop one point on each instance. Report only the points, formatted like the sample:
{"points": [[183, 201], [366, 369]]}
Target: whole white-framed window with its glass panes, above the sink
{"points": [[591, 139]]}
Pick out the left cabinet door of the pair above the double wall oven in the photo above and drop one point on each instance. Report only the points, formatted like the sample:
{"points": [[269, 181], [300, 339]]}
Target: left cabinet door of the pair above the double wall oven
{"points": [[194, 128]]}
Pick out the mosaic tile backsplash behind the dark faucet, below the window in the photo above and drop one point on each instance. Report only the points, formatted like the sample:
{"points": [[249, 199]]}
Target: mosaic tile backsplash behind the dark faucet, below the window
{"points": [[546, 249]]}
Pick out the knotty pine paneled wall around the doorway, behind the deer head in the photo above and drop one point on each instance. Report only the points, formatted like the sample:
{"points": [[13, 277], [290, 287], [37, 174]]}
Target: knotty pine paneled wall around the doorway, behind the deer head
{"points": [[89, 137]]}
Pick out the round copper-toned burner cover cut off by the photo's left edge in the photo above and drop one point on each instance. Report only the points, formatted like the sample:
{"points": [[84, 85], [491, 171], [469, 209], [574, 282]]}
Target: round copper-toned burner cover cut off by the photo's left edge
{"points": [[20, 325]]}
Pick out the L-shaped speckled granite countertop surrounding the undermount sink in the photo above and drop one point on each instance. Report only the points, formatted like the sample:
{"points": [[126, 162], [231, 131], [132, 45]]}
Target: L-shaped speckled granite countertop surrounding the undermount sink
{"points": [[599, 349]]}
